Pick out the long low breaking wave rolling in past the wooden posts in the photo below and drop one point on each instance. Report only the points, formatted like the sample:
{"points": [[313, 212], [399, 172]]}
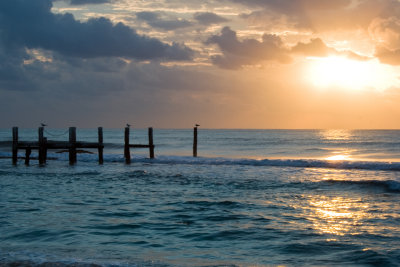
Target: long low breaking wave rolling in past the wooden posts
{"points": [[300, 163]]}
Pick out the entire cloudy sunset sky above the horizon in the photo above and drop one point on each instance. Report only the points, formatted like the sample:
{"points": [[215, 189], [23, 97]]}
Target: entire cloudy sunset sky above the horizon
{"points": [[265, 64]]}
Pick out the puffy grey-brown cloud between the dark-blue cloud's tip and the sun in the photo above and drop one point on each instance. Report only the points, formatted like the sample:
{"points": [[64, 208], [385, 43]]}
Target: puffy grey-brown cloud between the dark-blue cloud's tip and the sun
{"points": [[247, 52]]}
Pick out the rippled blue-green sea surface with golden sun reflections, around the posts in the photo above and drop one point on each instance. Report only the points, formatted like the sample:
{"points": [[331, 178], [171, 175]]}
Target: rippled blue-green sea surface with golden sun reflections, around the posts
{"points": [[251, 198]]}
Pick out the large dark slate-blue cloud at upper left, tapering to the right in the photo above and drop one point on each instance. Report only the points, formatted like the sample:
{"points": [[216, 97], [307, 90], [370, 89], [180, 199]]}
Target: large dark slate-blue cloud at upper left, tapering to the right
{"points": [[31, 24]]}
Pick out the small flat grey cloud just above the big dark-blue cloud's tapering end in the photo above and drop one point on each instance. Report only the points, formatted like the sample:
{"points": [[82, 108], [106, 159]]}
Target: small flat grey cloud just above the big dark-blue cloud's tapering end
{"points": [[155, 20]]}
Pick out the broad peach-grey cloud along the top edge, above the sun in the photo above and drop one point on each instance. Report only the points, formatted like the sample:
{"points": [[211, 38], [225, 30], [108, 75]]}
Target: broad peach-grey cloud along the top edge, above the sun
{"points": [[319, 15]]}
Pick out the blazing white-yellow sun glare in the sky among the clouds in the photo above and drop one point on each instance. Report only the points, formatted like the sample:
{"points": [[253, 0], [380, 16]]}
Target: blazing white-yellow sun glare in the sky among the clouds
{"points": [[346, 73]]}
